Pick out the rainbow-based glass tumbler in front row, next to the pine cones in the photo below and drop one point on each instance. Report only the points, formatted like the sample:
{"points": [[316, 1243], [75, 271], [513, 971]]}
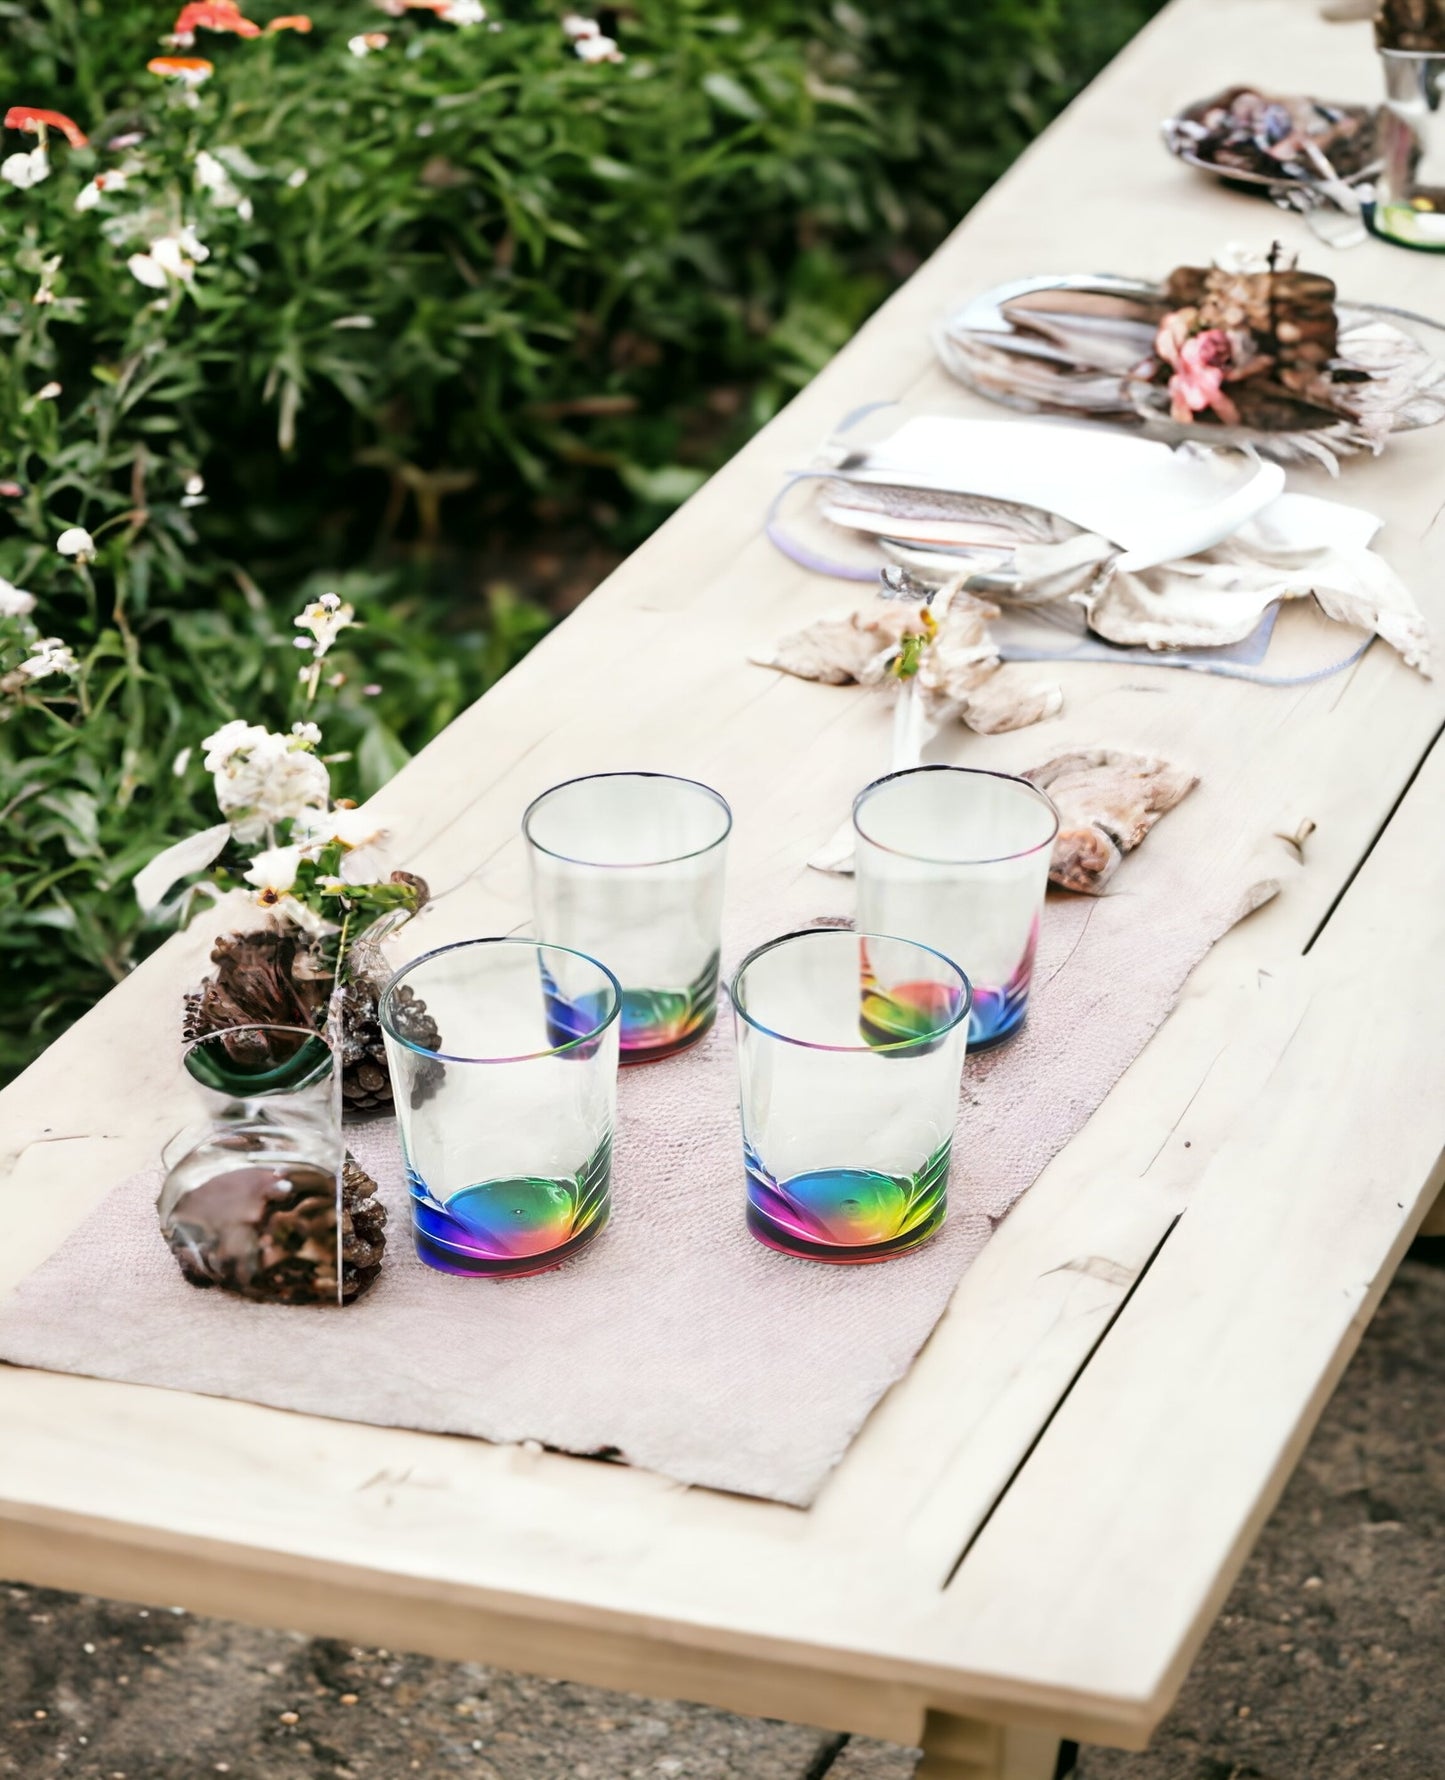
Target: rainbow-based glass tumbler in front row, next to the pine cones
{"points": [[508, 1126]]}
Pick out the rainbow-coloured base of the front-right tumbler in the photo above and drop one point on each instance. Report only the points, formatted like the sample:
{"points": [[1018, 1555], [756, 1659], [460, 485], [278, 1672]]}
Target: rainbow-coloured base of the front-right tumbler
{"points": [[848, 1215]]}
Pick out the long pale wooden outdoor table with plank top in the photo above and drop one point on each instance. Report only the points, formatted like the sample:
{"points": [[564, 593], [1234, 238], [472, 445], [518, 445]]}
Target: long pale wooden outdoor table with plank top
{"points": [[1035, 1530]]}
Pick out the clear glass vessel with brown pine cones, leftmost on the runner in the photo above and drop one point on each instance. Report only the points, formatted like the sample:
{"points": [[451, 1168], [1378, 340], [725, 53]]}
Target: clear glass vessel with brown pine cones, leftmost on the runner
{"points": [[252, 1199]]}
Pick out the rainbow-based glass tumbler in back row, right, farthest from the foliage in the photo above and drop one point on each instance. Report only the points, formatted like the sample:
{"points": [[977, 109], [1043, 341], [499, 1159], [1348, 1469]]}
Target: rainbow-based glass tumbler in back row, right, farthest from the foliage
{"points": [[958, 859]]}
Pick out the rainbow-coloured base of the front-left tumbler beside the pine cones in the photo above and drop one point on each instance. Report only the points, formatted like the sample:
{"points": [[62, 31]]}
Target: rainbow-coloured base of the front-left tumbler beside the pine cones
{"points": [[513, 1226]]}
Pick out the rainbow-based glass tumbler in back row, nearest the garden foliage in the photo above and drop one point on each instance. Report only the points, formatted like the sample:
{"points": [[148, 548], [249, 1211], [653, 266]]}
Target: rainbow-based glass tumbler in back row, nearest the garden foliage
{"points": [[629, 868]]}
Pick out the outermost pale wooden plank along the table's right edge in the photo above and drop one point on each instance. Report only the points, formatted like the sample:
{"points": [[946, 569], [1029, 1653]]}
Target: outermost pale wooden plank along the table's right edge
{"points": [[1106, 1576]]}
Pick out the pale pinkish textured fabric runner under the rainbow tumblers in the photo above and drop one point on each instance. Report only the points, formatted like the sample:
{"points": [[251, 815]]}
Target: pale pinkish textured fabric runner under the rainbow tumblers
{"points": [[677, 1341]]}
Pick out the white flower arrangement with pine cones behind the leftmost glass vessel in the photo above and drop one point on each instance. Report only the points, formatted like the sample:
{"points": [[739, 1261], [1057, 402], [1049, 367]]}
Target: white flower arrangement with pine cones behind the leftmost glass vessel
{"points": [[293, 857]]}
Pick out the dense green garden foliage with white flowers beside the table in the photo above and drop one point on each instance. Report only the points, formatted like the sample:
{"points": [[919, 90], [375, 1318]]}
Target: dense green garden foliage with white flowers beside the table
{"points": [[448, 287]]}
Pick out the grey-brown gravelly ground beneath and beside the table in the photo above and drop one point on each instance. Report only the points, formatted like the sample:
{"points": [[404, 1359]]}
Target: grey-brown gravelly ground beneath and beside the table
{"points": [[1325, 1665]]}
